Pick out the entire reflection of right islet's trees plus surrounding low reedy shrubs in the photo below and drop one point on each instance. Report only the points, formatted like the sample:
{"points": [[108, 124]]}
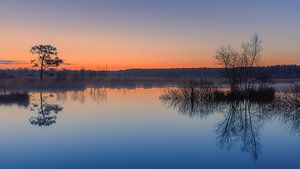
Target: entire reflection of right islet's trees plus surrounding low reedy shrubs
{"points": [[243, 119]]}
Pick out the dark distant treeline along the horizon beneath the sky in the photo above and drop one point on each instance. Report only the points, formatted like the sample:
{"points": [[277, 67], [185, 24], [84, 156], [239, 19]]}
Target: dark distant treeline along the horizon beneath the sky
{"points": [[275, 72]]}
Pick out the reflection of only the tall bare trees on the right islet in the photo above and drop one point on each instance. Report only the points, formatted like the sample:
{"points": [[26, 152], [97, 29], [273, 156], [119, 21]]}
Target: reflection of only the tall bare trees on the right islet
{"points": [[240, 125]]}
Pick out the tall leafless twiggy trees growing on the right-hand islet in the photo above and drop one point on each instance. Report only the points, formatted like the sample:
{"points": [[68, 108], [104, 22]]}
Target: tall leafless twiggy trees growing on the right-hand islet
{"points": [[239, 64]]}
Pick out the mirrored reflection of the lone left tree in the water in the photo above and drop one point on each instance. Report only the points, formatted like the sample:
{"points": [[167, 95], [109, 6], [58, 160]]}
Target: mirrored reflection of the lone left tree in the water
{"points": [[45, 113]]}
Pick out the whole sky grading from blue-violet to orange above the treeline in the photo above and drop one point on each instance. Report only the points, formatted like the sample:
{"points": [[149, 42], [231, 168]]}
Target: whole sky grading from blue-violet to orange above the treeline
{"points": [[124, 34]]}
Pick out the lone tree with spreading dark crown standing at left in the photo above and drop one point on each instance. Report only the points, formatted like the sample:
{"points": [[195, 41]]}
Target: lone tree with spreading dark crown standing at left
{"points": [[46, 57]]}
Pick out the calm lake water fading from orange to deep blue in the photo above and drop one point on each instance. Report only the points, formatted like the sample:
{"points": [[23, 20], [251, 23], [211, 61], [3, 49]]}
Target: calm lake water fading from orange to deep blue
{"points": [[134, 128]]}
